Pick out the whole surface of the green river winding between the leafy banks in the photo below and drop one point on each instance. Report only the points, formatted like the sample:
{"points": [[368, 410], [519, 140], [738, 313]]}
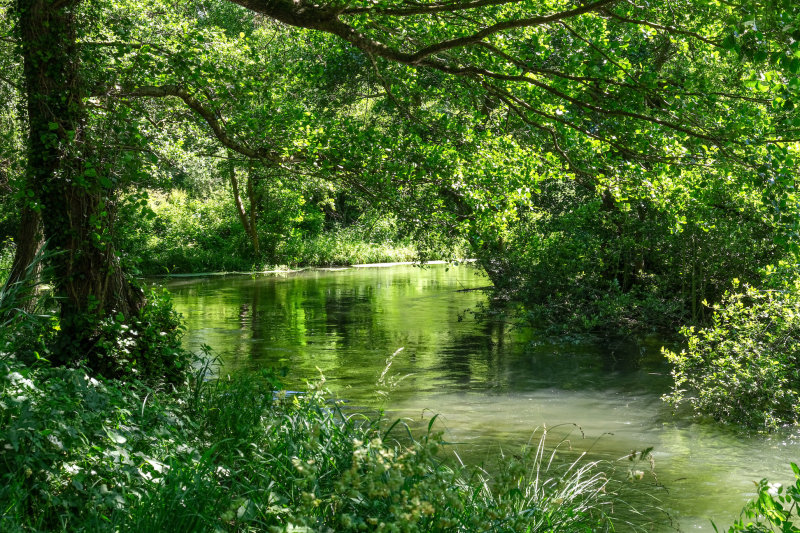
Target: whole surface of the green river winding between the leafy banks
{"points": [[490, 385]]}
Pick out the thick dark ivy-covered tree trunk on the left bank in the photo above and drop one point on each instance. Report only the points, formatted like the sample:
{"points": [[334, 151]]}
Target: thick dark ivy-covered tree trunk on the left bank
{"points": [[87, 275]]}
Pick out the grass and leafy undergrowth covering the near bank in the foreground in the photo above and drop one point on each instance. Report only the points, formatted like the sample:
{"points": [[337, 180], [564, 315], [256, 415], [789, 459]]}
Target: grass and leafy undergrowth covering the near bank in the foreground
{"points": [[83, 453]]}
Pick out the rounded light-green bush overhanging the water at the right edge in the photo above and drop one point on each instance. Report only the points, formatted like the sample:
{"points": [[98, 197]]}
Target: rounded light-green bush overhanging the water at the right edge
{"points": [[744, 367]]}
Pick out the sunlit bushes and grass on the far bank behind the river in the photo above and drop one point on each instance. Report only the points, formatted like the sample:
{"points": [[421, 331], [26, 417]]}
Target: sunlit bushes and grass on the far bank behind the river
{"points": [[186, 233]]}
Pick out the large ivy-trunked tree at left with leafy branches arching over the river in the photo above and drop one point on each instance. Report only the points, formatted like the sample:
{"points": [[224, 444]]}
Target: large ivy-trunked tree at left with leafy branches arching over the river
{"points": [[605, 92]]}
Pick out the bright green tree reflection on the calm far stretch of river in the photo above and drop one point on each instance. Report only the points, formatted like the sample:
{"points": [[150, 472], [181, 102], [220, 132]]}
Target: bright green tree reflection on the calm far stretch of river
{"points": [[345, 324]]}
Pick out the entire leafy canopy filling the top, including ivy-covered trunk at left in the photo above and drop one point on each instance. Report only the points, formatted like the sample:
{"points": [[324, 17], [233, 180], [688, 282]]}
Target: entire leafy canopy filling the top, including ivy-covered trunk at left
{"points": [[460, 116]]}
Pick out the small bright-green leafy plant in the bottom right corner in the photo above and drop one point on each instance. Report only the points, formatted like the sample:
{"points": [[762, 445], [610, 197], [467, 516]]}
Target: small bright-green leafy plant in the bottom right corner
{"points": [[775, 509]]}
